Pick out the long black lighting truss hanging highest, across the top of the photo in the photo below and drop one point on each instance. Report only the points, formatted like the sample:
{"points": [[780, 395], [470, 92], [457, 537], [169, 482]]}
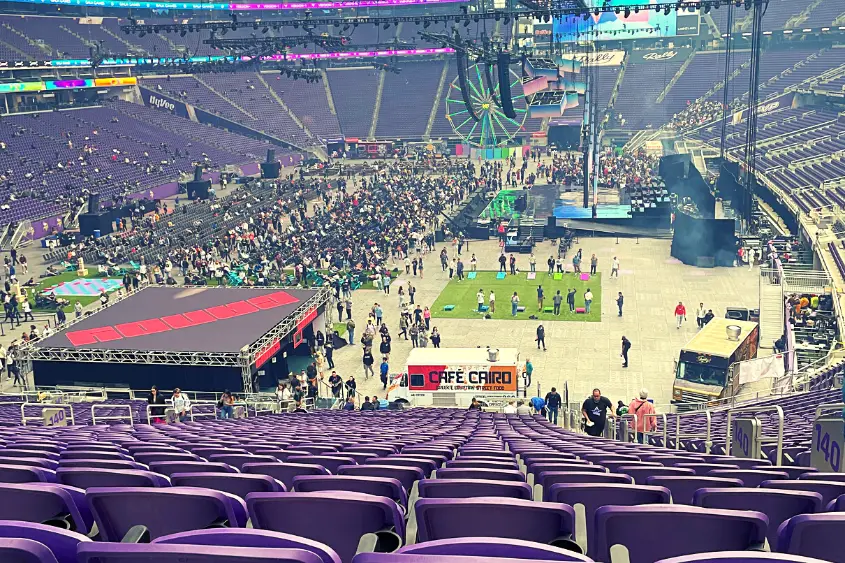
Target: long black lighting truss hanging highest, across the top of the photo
{"points": [[555, 12]]}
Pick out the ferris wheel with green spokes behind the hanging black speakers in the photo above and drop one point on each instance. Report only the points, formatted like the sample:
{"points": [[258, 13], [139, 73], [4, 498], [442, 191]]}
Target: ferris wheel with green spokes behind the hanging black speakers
{"points": [[493, 128]]}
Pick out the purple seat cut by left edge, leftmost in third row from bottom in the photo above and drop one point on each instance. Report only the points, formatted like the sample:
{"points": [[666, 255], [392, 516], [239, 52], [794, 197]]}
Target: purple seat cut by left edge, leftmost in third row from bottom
{"points": [[43, 503]]}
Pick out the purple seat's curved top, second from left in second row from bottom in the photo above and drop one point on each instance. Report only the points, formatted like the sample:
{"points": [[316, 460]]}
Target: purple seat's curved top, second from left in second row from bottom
{"points": [[247, 537]]}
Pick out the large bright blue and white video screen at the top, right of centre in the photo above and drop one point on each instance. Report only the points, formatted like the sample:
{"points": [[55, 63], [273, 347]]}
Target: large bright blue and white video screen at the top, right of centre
{"points": [[610, 26]]}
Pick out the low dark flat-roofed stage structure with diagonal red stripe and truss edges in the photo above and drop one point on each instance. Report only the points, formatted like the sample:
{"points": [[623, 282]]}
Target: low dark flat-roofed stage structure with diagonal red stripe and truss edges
{"points": [[198, 338]]}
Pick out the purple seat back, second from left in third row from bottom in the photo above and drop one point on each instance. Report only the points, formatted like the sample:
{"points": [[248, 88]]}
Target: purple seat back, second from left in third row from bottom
{"points": [[162, 511]]}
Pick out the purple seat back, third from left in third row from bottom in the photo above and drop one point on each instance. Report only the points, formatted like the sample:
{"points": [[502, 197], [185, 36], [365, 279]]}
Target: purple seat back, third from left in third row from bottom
{"points": [[344, 518]]}
